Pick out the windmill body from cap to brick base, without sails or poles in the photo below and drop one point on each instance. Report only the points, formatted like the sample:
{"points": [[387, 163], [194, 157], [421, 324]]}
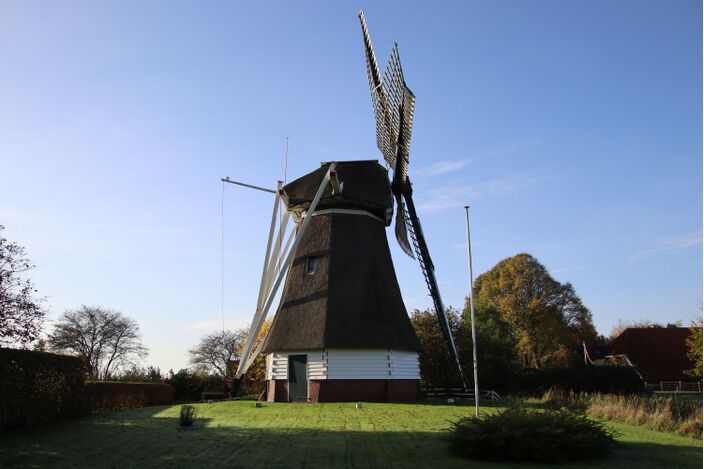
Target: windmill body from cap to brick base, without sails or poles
{"points": [[342, 331]]}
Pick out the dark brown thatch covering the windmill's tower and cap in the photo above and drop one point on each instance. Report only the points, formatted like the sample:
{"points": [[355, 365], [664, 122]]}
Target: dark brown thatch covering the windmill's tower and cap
{"points": [[353, 299]]}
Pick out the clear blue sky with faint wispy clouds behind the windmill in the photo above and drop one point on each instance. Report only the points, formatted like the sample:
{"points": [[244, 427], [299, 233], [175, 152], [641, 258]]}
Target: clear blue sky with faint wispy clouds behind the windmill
{"points": [[573, 129]]}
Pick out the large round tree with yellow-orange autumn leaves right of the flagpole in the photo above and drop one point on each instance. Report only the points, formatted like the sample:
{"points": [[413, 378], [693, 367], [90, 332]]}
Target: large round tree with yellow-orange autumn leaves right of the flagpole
{"points": [[547, 319]]}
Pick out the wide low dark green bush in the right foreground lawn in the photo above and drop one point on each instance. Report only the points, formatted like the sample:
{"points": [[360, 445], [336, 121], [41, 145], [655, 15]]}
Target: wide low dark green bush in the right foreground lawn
{"points": [[530, 435]]}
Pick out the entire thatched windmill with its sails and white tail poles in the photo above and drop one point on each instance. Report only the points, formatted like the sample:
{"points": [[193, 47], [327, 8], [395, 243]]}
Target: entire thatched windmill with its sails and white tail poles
{"points": [[341, 330]]}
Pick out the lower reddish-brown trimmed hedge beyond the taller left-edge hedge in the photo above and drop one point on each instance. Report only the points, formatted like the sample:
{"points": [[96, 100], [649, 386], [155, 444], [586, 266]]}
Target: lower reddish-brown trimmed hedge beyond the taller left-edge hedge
{"points": [[110, 396]]}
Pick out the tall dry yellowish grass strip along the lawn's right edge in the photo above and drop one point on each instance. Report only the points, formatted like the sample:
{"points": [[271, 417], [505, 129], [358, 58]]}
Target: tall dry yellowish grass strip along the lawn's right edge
{"points": [[654, 412]]}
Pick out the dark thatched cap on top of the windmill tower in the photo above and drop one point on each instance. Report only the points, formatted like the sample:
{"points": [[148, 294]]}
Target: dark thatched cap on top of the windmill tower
{"points": [[366, 186]]}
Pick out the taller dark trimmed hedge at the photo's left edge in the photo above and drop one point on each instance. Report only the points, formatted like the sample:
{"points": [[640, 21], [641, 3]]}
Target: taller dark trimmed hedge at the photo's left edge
{"points": [[37, 387]]}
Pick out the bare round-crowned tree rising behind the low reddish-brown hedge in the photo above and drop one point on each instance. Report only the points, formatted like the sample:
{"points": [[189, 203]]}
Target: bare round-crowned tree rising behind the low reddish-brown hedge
{"points": [[107, 339]]}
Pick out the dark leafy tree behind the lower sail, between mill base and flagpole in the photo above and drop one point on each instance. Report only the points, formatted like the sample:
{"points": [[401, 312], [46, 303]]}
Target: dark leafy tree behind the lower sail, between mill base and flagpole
{"points": [[437, 368]]}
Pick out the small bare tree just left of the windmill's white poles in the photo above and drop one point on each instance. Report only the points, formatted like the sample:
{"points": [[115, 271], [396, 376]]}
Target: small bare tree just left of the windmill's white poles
{"points": [[216, 350]]}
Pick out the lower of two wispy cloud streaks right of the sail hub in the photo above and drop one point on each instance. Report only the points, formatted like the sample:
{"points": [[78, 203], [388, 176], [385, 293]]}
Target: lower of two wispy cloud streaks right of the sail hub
{"points": [[448, 197]]}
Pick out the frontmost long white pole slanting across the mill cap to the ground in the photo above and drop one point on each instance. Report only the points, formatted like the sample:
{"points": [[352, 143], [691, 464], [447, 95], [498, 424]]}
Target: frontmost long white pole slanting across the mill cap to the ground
{"points": [[247, 356]]}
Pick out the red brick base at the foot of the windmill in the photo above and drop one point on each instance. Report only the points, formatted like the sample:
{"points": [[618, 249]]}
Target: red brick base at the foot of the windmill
{"points": [[350, 390]]}
